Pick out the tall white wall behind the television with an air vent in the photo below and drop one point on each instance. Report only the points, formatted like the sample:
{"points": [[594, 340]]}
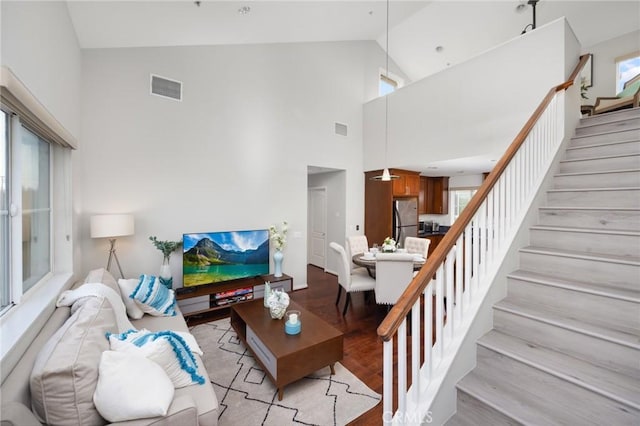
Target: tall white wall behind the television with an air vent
{"points": [[232, 155]]}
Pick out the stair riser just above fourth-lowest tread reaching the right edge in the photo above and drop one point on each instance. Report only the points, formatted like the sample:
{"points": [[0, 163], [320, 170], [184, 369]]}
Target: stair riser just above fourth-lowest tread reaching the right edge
{"points": [[619, 245]]}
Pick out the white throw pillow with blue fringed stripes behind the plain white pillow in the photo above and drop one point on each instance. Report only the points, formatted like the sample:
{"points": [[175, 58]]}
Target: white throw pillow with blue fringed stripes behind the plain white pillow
{"points": [[168, 349]]}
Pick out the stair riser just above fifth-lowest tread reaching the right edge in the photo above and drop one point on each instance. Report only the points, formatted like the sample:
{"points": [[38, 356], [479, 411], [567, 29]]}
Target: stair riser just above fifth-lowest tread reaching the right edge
{"points": [[597, 219]]}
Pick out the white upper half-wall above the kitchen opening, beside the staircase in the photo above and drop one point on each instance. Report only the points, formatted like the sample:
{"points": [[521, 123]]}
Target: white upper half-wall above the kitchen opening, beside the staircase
{"points": [[492, 94]]}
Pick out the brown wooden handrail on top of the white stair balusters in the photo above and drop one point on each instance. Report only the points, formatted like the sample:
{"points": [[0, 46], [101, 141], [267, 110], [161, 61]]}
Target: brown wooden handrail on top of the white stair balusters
{"points": [[387, 329]]}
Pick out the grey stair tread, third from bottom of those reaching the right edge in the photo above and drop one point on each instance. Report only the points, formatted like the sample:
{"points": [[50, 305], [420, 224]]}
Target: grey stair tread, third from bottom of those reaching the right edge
{"points": [[602, 289]]}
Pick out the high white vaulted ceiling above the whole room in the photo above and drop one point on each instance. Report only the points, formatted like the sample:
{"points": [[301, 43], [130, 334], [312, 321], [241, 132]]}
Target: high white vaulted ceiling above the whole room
{"points": [[424, 36]]}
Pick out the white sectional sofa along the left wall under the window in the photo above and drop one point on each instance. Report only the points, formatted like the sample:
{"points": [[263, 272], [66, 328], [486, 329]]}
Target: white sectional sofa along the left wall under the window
{"points": [[191, 405]]}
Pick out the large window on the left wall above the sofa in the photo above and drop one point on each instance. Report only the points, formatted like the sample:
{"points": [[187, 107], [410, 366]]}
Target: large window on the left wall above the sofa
{"points": [[25, 187]]}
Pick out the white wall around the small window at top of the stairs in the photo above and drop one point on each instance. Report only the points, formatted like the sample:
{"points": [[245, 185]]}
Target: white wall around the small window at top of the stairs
{"points": [[604, 66]]}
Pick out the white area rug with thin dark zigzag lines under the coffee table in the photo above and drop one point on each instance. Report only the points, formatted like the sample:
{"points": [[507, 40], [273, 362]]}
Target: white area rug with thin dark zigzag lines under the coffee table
{"points": [[247, 396]]}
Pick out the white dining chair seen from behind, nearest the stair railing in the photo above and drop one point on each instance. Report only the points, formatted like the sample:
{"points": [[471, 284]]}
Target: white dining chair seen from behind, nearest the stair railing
{"points": [[394, 272]]}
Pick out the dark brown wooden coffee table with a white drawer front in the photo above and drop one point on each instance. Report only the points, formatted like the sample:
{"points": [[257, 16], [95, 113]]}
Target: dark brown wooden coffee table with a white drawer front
{"points": [[286, 358]]}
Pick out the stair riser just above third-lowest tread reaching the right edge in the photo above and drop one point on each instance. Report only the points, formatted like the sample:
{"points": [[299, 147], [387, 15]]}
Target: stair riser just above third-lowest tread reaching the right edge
{"points": [[614, 274]]}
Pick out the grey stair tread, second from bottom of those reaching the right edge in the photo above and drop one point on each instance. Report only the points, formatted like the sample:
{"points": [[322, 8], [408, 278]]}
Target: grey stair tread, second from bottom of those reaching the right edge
{"points": [[552, 316]]}
